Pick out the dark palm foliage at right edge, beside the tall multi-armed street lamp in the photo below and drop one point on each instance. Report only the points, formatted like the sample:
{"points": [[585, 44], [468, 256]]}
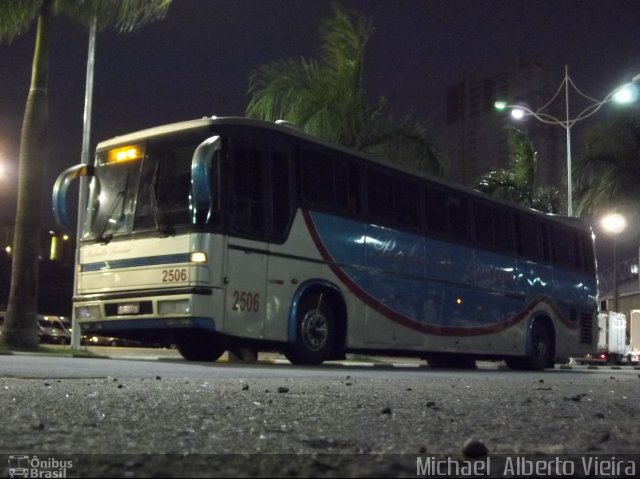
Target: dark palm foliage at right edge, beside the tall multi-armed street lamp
{"points": [[608, 173]]}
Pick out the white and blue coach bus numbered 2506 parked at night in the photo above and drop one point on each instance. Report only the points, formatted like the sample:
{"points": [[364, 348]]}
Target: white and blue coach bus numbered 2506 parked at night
{"points": [[224, 233]]}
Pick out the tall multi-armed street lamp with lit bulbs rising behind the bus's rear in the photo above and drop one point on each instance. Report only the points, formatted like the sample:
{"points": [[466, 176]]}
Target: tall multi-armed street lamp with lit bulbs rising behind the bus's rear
{"points": [[627, 93]]}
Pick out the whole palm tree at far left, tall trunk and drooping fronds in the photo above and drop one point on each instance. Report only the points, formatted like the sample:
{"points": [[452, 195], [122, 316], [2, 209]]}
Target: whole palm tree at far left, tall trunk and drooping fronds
{"points": [[15, 18]]}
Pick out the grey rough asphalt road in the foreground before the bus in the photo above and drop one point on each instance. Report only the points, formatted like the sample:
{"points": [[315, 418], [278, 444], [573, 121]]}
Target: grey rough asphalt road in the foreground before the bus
{"points": [[144, 418]]}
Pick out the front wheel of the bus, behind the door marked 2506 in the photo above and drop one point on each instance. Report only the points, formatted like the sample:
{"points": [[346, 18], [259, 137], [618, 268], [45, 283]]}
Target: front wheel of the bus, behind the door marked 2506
{"points": [[315, 332]]}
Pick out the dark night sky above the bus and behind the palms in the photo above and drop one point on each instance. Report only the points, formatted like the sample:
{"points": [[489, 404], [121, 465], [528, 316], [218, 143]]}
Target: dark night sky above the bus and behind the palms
{"points": [[198, 60]]}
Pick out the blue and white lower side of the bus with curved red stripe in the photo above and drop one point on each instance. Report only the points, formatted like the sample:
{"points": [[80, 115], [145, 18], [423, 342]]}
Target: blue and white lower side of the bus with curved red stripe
{"points": [[425, 294]]}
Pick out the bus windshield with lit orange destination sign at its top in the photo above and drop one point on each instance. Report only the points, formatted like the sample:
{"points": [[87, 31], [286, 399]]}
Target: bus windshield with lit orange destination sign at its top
{"points": [[142, 187]]}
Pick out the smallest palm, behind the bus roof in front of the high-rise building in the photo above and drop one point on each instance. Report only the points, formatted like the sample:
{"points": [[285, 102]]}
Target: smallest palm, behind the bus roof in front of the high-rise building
{"points": [[517, 183]]}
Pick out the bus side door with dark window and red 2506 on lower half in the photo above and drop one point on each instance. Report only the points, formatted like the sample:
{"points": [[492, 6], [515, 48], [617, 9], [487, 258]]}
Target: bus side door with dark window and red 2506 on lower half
{"points": [[246, 222]]}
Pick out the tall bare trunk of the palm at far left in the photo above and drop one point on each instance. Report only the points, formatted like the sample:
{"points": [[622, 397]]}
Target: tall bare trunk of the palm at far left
{"points": [[20, 322]]}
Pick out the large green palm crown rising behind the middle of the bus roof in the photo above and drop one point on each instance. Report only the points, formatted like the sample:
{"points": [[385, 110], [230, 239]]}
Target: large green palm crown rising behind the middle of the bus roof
{"points": [[324, 97]]}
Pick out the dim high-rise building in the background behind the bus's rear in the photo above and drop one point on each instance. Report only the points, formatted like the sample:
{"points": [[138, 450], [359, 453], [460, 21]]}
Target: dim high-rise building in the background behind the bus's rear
{"points": [[475, 130]]}
